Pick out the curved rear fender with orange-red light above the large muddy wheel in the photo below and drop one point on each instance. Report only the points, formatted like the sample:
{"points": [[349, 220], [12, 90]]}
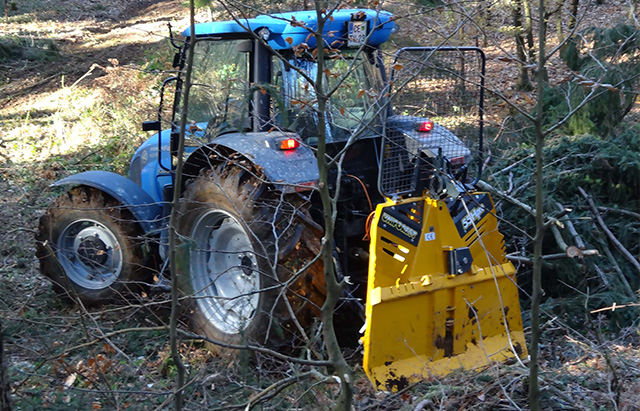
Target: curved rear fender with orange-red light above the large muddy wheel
{"points": [[289, 171]]}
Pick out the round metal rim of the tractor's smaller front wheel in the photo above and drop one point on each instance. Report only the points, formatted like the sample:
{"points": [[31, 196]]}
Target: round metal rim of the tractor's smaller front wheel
{"points": [[90, 254]]}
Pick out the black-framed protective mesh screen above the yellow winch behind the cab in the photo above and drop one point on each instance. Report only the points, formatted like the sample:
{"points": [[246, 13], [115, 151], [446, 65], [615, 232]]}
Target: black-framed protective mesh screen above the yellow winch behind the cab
{"points": [[443, 86]]}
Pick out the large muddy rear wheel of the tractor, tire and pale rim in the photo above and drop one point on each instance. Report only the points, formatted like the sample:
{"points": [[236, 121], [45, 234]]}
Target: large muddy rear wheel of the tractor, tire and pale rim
{"points": [[233, 270]]}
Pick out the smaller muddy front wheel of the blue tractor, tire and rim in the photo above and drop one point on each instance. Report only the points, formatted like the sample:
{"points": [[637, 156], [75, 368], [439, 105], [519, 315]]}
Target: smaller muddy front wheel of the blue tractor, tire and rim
{"points": [[91, 248]]}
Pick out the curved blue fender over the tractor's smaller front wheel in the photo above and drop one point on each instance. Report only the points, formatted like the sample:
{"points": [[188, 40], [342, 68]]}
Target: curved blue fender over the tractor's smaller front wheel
{"points": [[145, 210]]}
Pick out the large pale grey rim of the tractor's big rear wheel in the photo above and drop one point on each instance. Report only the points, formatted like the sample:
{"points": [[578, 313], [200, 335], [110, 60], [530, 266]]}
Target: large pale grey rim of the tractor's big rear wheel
{"points": [[224, 272]]}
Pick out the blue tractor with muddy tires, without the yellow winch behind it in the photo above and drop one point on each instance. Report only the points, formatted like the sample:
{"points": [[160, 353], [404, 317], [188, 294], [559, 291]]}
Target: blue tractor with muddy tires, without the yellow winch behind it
{"points": [[250, 223]]}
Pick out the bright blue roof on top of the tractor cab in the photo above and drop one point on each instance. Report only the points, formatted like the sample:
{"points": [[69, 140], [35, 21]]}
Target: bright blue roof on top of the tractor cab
{"points": [[285, 35]]}
